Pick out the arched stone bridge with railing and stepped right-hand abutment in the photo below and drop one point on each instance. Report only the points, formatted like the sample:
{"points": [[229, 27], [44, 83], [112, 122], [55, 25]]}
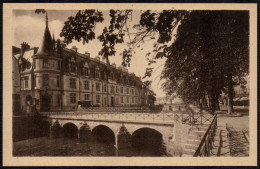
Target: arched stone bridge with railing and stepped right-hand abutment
{"points": [[125, 130]]}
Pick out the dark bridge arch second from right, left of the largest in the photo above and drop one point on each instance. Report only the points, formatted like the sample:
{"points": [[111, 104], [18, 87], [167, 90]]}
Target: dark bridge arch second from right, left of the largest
{"points": [[103, 134]]}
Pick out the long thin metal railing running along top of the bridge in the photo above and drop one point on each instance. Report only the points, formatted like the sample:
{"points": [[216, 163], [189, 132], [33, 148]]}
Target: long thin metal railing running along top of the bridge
{"points": [[185, 117]]}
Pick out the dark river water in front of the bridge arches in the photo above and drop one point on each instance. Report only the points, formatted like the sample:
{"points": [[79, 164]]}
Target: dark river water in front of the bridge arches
{"points": [[45, 146]]}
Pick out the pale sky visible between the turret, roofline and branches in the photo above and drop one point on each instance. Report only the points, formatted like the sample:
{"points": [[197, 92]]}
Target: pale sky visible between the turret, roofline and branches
{"points": [[29, 27]]}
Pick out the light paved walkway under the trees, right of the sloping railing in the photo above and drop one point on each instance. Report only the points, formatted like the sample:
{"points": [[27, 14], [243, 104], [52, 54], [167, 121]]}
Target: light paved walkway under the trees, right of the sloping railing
{"points": [[232, 135]]}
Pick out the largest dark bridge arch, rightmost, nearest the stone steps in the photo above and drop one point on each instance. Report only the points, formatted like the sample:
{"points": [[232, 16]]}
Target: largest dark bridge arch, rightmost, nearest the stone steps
{"points": [[147, 141]]}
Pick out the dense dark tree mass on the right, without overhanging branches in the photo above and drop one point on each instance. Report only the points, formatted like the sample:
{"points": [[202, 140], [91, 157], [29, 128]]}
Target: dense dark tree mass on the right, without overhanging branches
{"points": [[211, 48]]}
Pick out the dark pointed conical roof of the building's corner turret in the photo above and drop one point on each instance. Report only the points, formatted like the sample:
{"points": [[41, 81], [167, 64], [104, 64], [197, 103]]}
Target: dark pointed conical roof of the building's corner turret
{"points": [[47, 43]]}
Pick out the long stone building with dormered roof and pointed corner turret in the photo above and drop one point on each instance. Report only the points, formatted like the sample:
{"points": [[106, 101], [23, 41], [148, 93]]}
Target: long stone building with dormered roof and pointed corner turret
{"points": [[57, 78]]}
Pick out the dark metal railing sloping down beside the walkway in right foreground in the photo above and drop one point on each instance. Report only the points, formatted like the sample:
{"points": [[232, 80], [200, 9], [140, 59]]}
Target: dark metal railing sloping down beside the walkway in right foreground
{"points": [[206, 144]]}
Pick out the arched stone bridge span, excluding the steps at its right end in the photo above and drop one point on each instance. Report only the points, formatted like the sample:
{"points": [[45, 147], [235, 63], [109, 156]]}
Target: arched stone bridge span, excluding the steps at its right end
{"points": [[120, 129]]}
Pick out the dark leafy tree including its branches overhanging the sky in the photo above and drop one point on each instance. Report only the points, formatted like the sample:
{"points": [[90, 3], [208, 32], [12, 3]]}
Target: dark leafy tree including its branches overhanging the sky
{"points": [[209, 50]]}
